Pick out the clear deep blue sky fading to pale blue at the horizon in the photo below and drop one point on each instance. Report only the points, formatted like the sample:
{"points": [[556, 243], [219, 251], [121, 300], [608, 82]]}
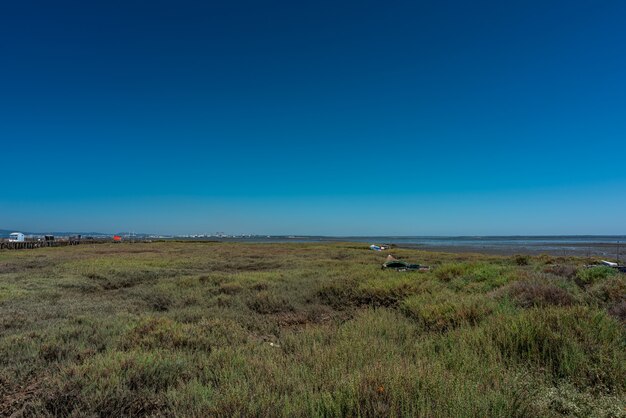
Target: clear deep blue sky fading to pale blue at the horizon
{"points": [[325, 117]]}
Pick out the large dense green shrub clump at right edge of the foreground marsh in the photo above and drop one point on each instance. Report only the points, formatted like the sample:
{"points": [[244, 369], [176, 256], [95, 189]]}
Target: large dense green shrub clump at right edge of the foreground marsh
{"points": [[582, 345]]}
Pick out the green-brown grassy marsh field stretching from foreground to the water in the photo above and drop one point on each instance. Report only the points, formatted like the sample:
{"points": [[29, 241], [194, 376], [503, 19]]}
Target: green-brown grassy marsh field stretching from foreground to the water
{"points": [[209, 329]]}
